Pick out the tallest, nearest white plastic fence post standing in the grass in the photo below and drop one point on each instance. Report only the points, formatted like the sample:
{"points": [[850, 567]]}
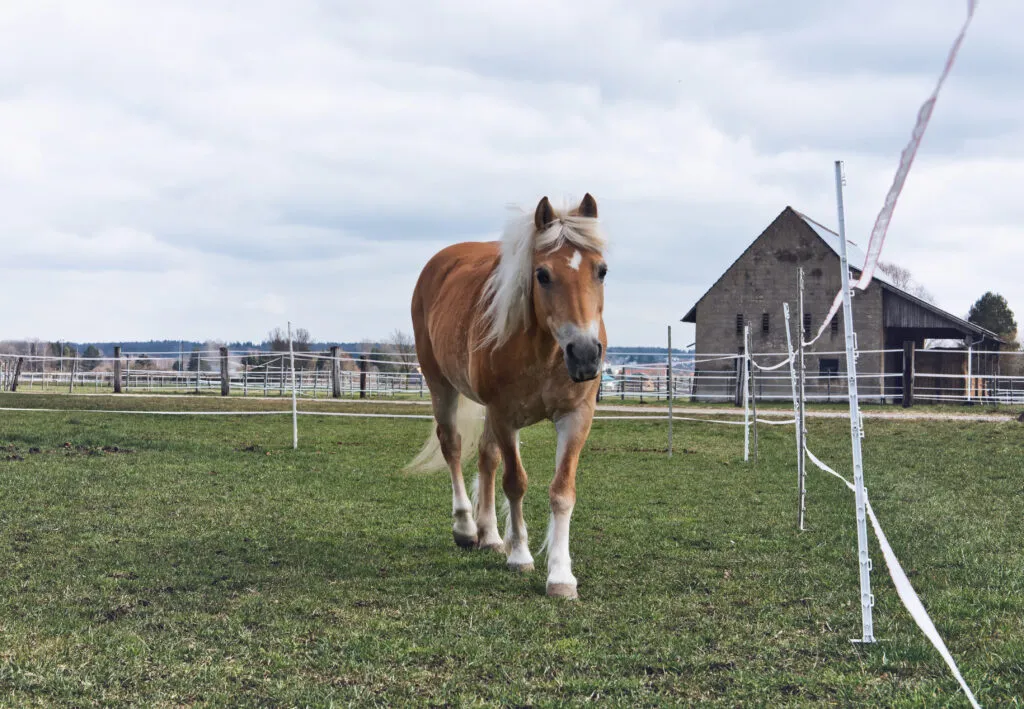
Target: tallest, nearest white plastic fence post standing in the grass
{"points": [[857, 433]]}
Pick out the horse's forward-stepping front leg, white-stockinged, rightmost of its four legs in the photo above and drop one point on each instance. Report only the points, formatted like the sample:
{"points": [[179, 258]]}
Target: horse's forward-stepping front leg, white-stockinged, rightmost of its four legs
{"points": [[573, 430]]}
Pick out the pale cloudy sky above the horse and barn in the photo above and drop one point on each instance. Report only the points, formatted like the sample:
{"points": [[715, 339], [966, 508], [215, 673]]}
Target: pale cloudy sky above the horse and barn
{"points": [[211, 171]]}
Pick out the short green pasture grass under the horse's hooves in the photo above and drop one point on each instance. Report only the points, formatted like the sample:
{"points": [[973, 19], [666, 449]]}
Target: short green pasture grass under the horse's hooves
{"points": [[177, 561]]}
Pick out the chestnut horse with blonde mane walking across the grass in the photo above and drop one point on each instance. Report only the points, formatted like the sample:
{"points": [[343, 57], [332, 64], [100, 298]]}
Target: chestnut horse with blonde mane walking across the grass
{"points": [[509, 333]]}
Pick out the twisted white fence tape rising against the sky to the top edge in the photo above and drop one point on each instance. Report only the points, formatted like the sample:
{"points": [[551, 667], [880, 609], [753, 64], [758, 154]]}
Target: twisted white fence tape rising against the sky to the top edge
{"points": [[881, 228]]}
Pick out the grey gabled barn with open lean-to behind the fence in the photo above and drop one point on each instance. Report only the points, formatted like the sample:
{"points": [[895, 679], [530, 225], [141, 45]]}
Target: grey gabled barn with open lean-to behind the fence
{"points": [[889, 322]]}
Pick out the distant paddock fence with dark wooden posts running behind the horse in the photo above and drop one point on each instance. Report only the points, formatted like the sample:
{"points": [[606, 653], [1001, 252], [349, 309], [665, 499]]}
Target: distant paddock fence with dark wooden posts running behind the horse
{"points": [[991, 379]]}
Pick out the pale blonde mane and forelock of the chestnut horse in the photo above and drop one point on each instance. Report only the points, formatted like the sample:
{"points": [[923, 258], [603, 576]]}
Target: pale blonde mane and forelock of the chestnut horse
{"points": [[507, 293]]}
